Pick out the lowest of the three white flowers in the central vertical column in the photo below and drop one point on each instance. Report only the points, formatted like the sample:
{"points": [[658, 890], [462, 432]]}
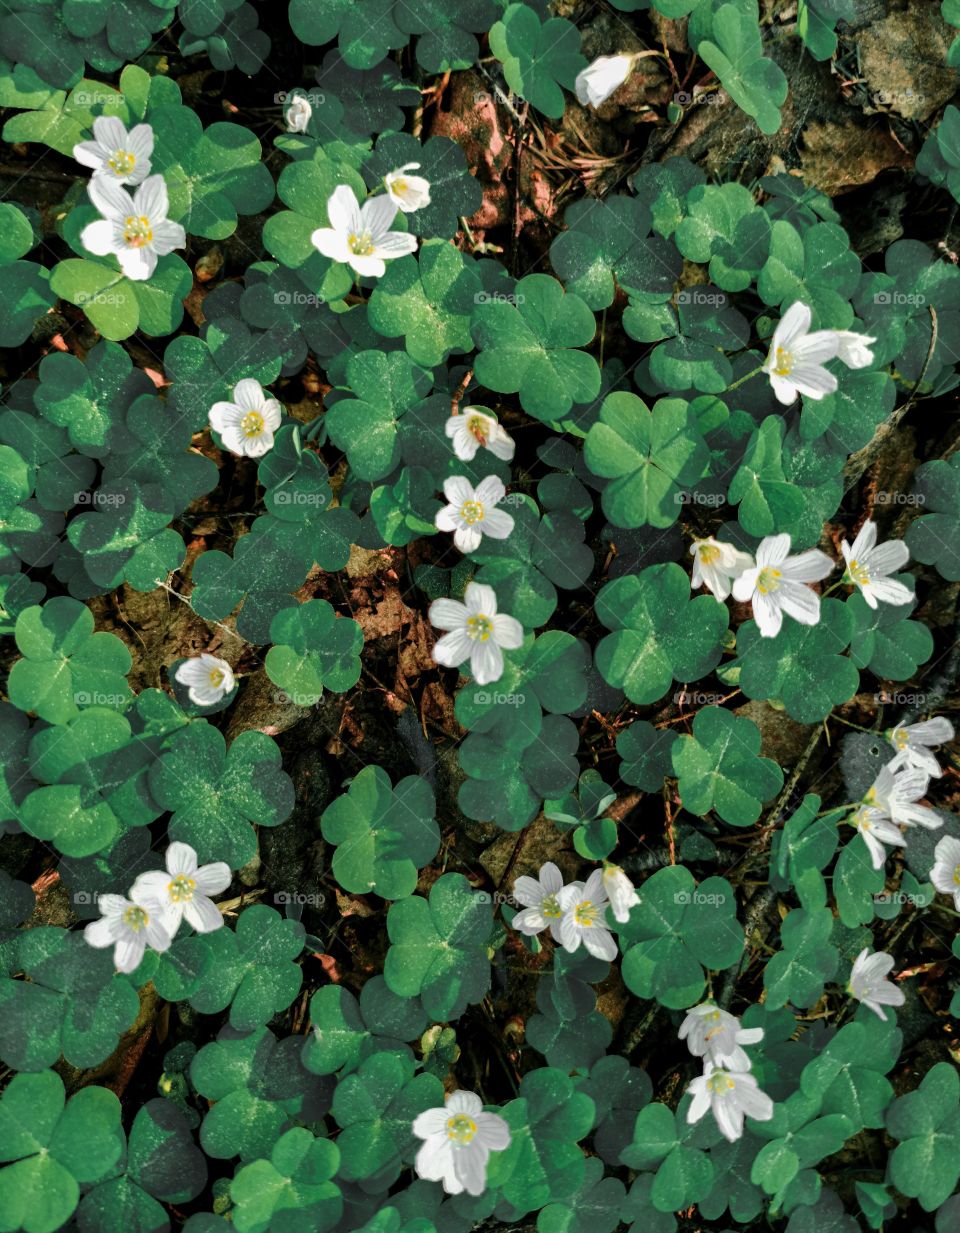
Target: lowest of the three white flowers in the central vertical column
{"points": [[478, 633]]}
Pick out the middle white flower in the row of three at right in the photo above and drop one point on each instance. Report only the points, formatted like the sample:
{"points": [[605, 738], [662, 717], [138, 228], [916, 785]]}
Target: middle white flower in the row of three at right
{"points": [[777, 585]]}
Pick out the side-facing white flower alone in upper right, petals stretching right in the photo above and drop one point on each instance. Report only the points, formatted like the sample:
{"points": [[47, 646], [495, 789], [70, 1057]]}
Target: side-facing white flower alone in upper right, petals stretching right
{"points": [[797, 358]]}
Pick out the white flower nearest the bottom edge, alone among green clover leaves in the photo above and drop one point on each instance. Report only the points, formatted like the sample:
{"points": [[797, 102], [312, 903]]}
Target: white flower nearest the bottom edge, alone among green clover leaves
{"points": [[458, 1142]]}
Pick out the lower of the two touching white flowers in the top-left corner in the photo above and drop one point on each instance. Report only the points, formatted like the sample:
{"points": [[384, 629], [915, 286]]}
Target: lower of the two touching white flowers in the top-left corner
{"points": [[135, 230]]}
